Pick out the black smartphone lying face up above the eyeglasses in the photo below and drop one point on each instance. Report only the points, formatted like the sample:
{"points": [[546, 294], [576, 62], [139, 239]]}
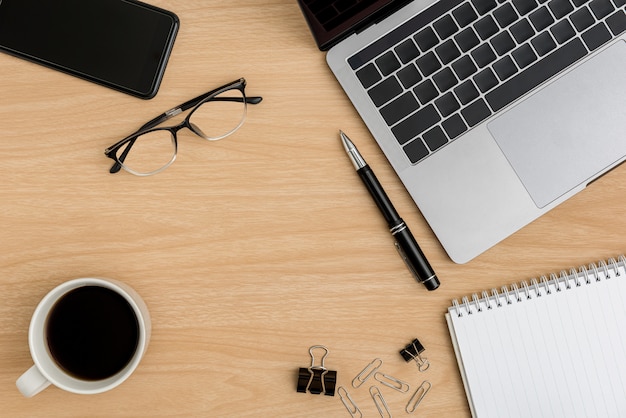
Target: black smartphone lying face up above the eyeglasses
{"points": [[122, 44]]}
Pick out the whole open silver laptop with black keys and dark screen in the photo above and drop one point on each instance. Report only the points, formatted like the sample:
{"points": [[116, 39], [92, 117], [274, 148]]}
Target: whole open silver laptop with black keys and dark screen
{"points": [[491, 112]]}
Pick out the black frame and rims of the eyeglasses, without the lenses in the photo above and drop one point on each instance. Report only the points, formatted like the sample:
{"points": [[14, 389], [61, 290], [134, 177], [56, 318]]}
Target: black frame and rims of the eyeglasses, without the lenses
{"points": [[192, 104]]}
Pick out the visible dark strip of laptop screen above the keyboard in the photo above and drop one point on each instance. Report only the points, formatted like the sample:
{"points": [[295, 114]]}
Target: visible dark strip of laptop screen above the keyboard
{"points": [[331, 21]]}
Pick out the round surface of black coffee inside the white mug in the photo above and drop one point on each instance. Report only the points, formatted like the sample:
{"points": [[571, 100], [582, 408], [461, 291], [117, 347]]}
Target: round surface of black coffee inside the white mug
{"points": [[92, 332]]}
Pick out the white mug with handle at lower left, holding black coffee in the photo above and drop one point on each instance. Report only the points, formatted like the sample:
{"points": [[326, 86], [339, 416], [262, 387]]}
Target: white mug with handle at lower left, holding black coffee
{"points": [[47, 368]]}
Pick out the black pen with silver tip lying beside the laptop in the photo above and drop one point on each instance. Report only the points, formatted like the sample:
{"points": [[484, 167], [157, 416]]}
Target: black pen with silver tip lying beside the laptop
{"points": [[405, 242]]}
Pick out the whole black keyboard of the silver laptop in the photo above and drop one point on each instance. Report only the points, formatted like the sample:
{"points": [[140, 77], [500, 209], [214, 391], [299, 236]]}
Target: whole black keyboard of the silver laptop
{"points": [[451, 67]]}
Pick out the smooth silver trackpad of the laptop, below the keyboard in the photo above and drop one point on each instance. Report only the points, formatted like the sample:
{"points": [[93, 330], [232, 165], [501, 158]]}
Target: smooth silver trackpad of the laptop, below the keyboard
{"points": [[571, 130]]}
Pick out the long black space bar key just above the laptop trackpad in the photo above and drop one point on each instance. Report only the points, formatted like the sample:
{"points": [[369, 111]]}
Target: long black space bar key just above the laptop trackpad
{"points": [[536, 74]]}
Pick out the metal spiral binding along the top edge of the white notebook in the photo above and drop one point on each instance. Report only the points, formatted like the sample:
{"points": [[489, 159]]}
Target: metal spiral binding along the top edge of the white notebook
{"points": [[545, 285]]}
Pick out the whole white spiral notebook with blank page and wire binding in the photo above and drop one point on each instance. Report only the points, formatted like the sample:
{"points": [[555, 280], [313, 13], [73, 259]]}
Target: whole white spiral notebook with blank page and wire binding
{"points": [[553, 346]]}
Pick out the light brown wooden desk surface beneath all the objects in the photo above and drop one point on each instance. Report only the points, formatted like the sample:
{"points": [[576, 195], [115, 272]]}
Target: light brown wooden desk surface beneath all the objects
{"points": [[247, 251]]}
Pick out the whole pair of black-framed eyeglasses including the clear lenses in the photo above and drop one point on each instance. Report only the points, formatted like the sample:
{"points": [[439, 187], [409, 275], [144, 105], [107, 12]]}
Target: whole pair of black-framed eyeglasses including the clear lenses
{"points": [[214, 115]]}
